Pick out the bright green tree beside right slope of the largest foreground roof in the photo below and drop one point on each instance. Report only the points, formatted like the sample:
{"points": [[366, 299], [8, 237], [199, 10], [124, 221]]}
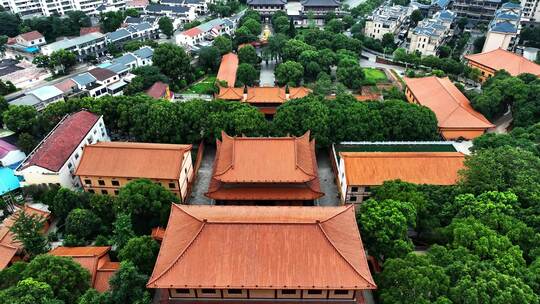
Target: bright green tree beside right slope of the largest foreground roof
{"points": [[384, 226]]}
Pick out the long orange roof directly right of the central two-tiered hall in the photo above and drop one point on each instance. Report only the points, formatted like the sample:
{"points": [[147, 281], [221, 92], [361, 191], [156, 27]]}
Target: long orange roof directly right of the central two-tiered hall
{"points": [[373, 168]]}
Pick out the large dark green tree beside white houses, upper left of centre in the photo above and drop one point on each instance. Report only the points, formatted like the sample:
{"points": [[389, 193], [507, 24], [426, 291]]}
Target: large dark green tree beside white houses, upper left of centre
{"points": [[173, 61]]}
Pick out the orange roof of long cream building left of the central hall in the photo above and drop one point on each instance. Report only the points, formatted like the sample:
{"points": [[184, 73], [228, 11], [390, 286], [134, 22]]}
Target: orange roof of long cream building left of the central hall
{"points": [[129, 159]]}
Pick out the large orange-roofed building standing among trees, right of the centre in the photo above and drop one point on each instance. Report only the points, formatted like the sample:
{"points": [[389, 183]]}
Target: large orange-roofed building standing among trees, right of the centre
{"points": [[455, 115]]}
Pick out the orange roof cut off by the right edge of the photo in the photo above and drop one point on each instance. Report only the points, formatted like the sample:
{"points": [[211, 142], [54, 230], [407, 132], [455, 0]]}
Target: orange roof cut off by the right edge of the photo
{"points": [[500, 59]]}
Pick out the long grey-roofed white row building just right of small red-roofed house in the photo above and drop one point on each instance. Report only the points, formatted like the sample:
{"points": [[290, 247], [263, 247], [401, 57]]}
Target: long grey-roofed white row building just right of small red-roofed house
{"points": [[92, 44]]}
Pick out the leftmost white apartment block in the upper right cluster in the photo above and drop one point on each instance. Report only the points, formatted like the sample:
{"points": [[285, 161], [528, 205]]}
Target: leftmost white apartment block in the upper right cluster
{"points": [[386, 20]]}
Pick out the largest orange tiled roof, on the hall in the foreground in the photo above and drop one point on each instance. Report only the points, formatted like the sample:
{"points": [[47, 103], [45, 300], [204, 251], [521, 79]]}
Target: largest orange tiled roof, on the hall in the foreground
{"points": [[262, 248]]}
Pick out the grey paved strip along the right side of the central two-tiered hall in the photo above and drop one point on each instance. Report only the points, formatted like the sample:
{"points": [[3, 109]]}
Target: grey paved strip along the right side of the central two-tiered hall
{"points": [[326, 177]]}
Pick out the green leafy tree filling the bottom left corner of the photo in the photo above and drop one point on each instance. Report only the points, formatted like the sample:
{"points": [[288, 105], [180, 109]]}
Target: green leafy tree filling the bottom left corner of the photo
{"points": [[29, 291]]}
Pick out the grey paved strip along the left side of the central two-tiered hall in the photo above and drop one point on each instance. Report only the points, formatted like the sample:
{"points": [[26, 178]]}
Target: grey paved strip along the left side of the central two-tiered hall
{"points": [[203, 178]]}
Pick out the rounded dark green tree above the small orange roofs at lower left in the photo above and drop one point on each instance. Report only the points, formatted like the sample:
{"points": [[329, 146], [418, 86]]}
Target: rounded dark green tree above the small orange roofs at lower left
{"points": [[82, 224]]}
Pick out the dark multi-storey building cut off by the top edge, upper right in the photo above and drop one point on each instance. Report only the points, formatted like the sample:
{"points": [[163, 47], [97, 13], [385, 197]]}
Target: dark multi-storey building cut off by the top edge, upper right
{"points": [[476, 10]]}
